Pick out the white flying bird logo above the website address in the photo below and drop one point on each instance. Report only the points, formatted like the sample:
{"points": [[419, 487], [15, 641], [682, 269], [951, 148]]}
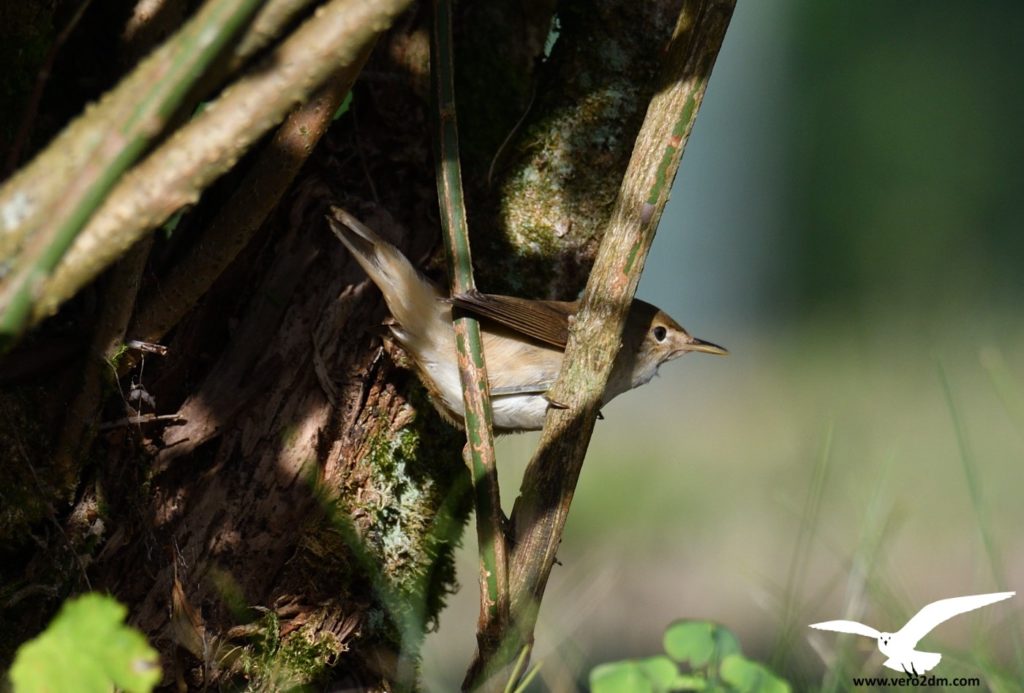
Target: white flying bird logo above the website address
{"points": [[900, 646]]}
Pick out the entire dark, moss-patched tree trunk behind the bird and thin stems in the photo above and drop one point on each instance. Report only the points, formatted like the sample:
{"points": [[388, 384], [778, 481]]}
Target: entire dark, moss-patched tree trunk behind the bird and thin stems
{"points": [[295, 523]]}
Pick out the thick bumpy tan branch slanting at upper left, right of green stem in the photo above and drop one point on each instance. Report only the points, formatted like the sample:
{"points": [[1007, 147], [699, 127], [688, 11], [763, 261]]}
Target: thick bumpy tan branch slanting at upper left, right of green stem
{"points": [[198, 154]]}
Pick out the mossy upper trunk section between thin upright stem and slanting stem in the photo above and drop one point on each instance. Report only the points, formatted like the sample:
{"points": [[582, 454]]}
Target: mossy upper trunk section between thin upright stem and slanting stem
{"points": [[569, 159]]}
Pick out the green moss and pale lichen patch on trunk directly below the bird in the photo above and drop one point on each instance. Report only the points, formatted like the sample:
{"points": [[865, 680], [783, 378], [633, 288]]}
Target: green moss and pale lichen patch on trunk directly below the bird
{"points": [[395, 539]]}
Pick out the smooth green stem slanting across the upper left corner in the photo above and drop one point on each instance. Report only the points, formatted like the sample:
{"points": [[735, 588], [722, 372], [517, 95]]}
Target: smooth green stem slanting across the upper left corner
{"points": [[112, 151]]}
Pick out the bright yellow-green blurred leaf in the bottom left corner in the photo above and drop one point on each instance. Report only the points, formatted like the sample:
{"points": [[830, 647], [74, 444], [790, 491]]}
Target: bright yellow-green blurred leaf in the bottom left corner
{"points": [[87, 648]]}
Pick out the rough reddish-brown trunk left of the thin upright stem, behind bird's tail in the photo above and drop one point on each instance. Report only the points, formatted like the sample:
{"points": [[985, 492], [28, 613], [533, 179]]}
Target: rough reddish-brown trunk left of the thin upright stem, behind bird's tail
{"points": [[297, 527]]}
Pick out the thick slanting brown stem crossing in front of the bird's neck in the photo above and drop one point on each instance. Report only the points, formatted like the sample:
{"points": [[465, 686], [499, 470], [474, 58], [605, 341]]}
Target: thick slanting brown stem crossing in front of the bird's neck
{"points": [[541, 511]]}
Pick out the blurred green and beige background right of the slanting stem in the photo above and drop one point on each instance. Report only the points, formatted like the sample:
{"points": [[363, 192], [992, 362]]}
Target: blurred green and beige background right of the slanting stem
{"points": [[848, 222]]}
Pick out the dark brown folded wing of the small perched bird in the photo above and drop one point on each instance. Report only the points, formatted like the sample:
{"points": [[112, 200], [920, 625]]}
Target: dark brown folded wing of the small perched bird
{"points": [[547, 322]]}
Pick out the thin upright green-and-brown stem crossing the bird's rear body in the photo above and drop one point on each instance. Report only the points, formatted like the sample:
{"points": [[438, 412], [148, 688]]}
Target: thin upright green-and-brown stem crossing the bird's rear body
{"points": [[480, 450]]}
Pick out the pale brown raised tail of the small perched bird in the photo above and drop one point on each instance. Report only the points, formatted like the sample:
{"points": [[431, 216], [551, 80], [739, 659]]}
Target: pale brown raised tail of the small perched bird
{"points": [[413, 300]]}
